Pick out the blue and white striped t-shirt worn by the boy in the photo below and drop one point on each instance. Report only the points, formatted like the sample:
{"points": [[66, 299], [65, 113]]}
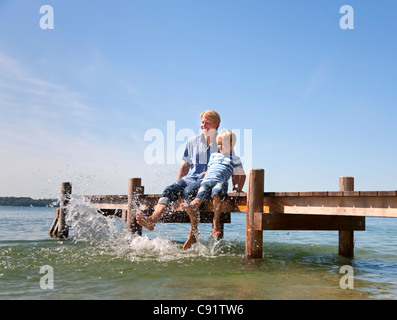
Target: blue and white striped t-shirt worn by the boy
{"points": [[221, 167]]}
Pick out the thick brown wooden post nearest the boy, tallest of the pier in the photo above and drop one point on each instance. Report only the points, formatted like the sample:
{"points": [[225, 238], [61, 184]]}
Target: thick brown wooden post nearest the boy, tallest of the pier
{"points": [[254, 238]]}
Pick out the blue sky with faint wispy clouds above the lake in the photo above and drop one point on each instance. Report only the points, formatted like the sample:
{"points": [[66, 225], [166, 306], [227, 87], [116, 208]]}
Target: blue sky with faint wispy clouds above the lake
{"points": [[77, 100]]}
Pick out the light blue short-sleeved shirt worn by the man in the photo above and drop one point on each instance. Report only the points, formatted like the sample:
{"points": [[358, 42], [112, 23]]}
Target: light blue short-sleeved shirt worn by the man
{"points": [[197, 155]]}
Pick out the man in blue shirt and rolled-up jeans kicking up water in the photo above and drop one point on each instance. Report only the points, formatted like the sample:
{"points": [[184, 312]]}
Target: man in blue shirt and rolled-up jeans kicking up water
{"points": [[191, 173]]}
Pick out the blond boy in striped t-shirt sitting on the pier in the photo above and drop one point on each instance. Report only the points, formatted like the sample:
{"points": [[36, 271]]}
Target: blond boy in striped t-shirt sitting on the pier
{"points": [[221, 167]]}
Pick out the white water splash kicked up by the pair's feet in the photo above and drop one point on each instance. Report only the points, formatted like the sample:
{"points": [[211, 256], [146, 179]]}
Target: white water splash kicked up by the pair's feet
{"points": [[111, 235]]}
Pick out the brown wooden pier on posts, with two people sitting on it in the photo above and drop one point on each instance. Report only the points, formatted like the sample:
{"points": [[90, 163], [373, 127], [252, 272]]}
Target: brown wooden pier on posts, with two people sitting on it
{"points": [[344, 210]]}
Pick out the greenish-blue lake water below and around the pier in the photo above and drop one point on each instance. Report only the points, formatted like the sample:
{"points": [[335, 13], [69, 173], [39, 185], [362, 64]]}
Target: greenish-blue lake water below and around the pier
{"points": [[101, 260]]}
